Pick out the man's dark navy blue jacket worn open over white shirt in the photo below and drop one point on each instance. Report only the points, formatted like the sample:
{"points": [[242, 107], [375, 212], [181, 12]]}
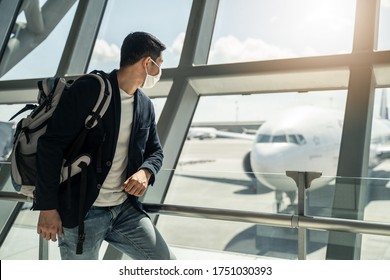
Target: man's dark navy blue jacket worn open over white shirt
{"points": [[68, 120]]}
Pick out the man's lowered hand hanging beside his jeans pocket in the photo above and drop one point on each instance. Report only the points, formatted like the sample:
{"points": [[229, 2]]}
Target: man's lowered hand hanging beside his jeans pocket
{"points": [[49, 225]]}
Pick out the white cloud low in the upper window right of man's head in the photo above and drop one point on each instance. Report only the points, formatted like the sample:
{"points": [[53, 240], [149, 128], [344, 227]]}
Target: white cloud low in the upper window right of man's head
{"points": [[230, 49]]}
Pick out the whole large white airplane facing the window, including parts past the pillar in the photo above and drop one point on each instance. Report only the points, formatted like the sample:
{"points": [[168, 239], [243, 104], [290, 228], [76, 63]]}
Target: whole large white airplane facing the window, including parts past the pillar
{"points": [[304, 138]]}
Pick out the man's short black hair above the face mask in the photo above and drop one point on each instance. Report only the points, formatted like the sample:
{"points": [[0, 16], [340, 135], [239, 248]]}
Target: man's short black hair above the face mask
{"points": [[138, 45]]}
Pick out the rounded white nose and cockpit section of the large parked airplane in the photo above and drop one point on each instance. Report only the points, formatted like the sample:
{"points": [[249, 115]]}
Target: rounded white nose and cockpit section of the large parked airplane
{"points": [[301, 139]]}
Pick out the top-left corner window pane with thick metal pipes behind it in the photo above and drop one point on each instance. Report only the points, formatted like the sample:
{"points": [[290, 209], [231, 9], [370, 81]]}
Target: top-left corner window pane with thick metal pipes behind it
{"points": [[35, 48]]}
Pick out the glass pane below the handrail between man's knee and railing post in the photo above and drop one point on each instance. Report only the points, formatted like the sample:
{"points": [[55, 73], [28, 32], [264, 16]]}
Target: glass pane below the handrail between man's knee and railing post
{"points": [[225, 240]]}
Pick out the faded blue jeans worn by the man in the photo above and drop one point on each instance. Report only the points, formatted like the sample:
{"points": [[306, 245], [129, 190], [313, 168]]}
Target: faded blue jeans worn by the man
{"points": [[122, 226]]}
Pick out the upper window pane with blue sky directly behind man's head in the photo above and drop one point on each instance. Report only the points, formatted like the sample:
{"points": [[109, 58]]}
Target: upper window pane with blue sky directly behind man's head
{"points": [[160, 18]]}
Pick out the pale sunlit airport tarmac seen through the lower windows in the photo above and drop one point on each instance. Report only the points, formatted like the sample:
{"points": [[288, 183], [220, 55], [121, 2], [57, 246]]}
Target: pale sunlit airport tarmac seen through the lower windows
{"points": [[210, 174]]}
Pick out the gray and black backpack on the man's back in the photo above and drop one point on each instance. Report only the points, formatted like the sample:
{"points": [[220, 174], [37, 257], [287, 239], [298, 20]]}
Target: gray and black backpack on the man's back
{"points": [[30, 128]]}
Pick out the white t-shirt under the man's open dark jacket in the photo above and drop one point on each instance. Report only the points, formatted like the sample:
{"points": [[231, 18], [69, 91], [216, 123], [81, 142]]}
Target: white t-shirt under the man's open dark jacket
{"points": [[111, 193]]}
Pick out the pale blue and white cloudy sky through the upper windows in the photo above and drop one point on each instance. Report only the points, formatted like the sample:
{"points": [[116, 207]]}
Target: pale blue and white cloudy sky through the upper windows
{"points": [[244, 31]]}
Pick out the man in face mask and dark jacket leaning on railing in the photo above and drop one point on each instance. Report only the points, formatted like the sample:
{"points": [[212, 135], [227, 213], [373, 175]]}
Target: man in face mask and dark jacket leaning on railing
{"points": [[126, 155]]}
